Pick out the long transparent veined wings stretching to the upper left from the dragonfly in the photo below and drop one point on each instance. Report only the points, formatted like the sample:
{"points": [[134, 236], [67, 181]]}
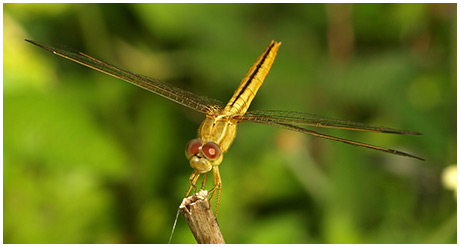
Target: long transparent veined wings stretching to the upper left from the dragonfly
{"points": [[193, 101]]}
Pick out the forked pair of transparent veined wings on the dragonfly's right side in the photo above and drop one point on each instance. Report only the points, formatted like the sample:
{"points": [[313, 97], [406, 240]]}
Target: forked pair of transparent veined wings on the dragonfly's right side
{"points": [[291, 120]]}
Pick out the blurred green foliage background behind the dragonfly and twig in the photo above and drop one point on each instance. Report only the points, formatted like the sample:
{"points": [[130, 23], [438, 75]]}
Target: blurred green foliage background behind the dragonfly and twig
{"points": [[92, 159]]}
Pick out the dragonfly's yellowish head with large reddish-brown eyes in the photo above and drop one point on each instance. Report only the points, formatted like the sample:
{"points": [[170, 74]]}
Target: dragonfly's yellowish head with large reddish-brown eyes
{"points": [[203, 157]]}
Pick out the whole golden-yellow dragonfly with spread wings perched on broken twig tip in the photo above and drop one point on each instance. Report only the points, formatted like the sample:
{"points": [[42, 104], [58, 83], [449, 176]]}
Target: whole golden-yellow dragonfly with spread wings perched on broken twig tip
{"points": [[217, 132]]}
